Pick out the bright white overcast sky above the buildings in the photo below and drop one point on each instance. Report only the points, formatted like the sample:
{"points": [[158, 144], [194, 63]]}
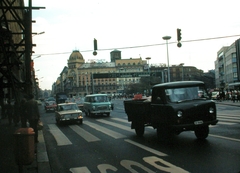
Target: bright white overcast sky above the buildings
{"points": [[135, 27]]}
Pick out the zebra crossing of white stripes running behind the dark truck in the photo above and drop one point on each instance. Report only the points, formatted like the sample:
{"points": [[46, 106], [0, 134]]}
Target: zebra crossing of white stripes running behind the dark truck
{"points": [[100, 125]]}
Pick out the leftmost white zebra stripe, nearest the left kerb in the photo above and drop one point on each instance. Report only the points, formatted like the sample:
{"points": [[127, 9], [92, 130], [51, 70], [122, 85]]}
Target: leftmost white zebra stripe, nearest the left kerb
{"points": [[60, 138]]}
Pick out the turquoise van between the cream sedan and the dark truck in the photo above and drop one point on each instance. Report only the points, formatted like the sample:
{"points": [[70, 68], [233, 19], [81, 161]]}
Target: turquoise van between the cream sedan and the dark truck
{"points": [[97, 104]]}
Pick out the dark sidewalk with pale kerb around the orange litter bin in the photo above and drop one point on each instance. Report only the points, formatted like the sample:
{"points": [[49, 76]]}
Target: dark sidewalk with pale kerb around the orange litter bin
{"points": [[7, 157]]}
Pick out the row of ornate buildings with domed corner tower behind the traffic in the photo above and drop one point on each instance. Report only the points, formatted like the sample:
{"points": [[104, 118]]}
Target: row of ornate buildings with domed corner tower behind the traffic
{"points": [[80, 78]]}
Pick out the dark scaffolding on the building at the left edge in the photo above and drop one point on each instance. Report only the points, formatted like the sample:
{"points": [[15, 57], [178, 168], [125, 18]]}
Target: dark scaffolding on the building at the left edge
{"points": [[16, 65]]}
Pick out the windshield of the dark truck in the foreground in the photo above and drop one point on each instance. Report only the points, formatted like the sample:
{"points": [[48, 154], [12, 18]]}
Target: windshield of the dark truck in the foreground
{"points": [[183, 94]]}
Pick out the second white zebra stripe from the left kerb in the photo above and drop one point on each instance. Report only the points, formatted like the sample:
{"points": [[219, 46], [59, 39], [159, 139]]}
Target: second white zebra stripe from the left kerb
{"points": [[84, 134]]}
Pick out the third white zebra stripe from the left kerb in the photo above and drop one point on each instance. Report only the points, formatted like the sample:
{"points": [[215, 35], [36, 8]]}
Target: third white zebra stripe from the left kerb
{"points": [[105, 130]]}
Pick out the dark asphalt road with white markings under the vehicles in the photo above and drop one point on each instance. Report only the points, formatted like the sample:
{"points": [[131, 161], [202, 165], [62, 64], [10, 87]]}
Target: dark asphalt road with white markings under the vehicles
{"points": [[102, 144]]}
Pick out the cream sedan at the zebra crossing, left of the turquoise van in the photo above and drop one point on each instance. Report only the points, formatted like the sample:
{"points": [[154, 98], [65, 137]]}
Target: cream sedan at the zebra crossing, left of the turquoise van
{"points": [[68, 112]]}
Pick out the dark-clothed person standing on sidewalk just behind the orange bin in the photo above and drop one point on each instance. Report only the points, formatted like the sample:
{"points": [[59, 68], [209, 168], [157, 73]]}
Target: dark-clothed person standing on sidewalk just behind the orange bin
{"points": [[32, 114]]}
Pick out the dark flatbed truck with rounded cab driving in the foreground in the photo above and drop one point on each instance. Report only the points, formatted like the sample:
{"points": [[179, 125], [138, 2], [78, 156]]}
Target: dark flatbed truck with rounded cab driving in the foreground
{"points": [[174, 107]]}
